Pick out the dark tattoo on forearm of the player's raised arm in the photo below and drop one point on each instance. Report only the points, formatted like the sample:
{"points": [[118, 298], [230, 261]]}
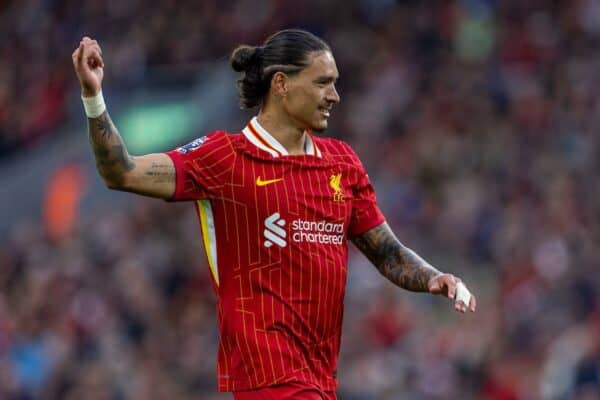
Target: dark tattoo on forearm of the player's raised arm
{"points": [[112, 158]]}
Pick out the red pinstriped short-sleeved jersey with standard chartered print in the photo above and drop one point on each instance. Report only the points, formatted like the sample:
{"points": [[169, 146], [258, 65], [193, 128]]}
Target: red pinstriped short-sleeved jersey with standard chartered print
{"points": [[275, 229]]}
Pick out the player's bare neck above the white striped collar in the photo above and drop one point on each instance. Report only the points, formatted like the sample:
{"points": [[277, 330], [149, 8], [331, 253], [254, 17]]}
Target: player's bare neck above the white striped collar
{"points": [[292, 137]]}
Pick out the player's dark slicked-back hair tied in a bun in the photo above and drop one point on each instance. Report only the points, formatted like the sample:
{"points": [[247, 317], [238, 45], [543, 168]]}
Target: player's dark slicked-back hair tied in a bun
{"points": [[285, 51]]}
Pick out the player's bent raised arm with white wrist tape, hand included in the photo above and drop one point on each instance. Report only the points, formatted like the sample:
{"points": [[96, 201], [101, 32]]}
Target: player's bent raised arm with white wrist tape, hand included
{"points": [[150, 175]]}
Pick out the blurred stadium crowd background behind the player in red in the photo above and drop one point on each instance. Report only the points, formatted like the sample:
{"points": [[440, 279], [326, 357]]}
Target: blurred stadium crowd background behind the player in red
{"points": [[479, 124]]}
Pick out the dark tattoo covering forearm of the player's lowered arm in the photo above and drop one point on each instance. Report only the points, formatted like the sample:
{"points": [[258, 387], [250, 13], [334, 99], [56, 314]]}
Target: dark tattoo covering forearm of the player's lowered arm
{"points": [[395, 261]]}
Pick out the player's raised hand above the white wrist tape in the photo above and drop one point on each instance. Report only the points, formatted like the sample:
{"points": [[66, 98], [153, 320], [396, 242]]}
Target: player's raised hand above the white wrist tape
{"points": [[89, 66]]}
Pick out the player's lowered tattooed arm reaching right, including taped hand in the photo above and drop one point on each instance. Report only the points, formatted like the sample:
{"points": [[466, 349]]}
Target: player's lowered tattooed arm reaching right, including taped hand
{"points": [[405, 268]]}
